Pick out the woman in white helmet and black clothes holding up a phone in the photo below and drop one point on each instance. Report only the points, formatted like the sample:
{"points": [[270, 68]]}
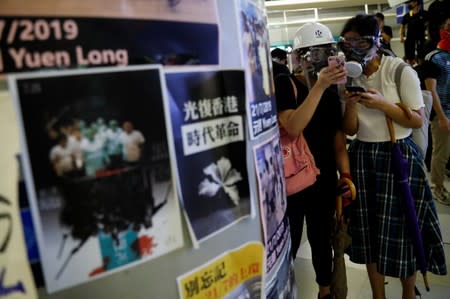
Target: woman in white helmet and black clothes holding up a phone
{"points": [[315, 110]]}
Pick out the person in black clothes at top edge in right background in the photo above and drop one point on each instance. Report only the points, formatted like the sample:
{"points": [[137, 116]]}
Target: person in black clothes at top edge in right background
{"points": [[413, 28]]}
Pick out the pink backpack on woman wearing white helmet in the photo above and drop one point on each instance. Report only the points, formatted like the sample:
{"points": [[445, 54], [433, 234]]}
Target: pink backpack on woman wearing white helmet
{"points": [[300, 170]]}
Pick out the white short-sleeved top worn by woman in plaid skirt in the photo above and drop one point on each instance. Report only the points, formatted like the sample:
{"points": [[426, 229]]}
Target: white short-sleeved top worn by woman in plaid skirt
{"points": [[372, 125]]}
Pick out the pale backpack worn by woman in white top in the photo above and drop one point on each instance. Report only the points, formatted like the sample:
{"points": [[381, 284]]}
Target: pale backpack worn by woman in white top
{"points": [[419, 135]]}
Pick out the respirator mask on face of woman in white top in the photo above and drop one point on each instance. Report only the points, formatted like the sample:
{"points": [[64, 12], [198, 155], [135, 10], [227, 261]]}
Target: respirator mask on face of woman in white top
{"points": [[358, 52]]}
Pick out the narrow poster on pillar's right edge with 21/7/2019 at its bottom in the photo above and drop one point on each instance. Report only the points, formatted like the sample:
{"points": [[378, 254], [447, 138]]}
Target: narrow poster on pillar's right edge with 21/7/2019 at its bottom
{"points": [[255, 47]]}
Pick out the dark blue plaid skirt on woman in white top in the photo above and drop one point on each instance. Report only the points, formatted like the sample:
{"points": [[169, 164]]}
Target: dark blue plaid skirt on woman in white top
{"points": [[377, 224]]}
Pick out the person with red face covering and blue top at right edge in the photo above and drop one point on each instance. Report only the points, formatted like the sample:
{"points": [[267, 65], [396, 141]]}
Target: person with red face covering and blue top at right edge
{"points": [[438, 82]]}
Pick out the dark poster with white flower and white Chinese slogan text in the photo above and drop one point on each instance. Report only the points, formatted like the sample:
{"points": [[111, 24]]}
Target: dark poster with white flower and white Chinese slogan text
{"points": [[207, 112]]}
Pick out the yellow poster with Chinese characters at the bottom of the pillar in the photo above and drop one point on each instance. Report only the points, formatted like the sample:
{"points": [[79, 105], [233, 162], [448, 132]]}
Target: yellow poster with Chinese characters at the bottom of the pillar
{"points": [[235, 274]]}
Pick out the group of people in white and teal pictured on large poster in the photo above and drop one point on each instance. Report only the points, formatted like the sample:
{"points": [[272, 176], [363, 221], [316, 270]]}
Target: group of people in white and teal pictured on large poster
{"points": [[83, 149]]}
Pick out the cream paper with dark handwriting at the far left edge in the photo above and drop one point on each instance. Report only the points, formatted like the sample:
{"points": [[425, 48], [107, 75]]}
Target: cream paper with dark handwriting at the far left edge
{"points": [[16, 279]]}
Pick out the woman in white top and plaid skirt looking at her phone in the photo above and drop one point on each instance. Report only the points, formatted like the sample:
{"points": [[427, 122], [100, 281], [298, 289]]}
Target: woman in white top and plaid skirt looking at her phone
{"points": [[378, 229]]}
